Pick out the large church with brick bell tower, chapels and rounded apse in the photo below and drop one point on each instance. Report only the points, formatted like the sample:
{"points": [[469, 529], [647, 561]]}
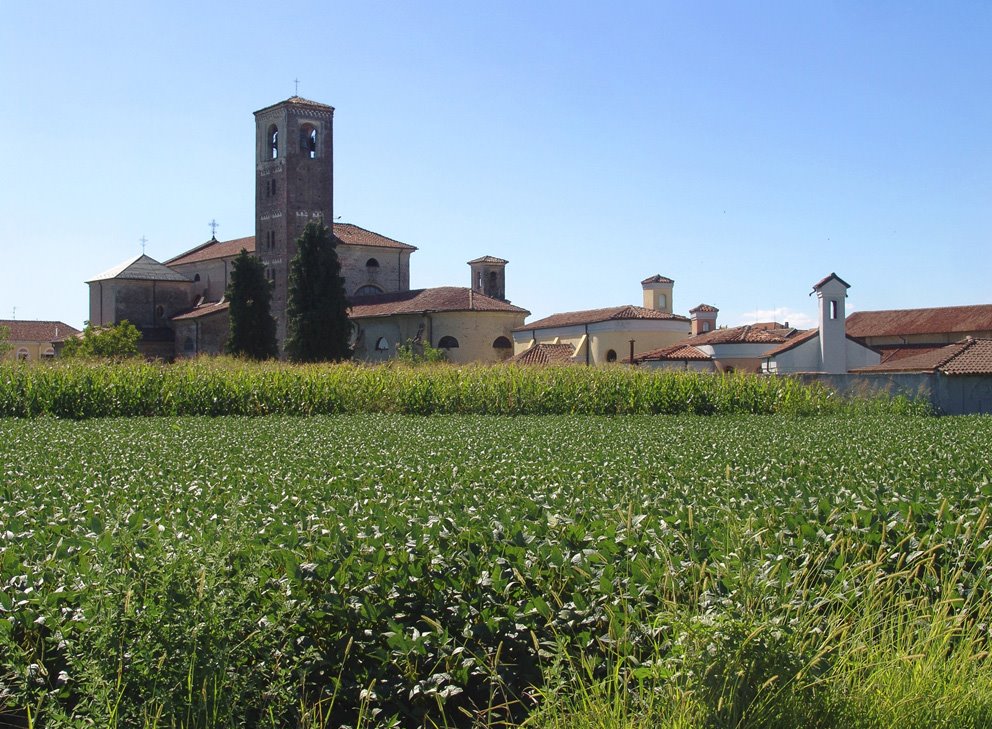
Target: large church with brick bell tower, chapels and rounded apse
{"points": [[179, 304]]}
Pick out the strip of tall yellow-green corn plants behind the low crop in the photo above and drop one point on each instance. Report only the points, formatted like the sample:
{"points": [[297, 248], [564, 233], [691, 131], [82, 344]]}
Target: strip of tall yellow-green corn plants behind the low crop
{"points": [[225, 386]]}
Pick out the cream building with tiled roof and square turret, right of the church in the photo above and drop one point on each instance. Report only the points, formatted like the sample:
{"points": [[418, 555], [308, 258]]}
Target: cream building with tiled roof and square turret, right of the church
{"points": [[603, 336]]}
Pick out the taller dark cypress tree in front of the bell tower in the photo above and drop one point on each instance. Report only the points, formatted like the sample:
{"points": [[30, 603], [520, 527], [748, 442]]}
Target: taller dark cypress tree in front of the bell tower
{"points": [[317, 324]]}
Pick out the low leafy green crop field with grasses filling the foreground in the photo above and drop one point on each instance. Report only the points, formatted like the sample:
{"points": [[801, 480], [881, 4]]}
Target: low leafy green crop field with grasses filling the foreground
{"points": [[459, 570]]}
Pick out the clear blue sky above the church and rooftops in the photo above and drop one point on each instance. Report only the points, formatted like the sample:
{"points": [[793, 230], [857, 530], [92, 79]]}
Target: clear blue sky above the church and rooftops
{"points": [[744, 149]]}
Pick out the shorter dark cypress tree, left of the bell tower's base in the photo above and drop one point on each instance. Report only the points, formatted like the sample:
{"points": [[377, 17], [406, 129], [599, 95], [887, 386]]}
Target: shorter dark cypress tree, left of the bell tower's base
{"points": [[253, 330]]}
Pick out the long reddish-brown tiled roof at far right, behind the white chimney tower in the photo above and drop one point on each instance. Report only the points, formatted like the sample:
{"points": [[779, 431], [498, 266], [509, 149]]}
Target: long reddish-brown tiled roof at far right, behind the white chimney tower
{"points": [[897, 322]]}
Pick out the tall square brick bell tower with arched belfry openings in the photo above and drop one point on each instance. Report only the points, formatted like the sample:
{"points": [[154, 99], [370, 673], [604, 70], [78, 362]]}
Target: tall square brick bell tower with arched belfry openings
{"points": [[294, 184]]}
